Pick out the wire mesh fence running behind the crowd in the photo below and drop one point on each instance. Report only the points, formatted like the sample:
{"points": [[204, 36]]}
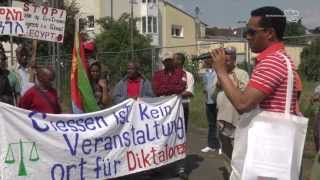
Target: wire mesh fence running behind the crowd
{"points": [[114, 64]]}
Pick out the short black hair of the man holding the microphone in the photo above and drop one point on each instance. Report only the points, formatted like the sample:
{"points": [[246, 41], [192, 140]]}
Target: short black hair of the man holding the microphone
{"points": [[272, 17]]}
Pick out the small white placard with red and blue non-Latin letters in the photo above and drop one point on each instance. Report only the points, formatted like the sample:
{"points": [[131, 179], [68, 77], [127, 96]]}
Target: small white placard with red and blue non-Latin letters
{"points": [[12, 21]]}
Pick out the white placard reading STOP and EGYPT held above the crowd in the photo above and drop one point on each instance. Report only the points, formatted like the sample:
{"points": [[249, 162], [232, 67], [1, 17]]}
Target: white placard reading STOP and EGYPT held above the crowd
{"points": [[43, 22]]}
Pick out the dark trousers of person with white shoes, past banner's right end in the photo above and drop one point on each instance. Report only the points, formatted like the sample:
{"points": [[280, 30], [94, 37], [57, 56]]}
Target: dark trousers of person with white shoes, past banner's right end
{"points": [[211, 111]]}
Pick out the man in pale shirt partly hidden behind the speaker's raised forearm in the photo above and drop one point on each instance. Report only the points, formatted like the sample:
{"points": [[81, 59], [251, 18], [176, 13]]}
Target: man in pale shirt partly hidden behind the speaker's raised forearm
{"points": [[228, 117]]}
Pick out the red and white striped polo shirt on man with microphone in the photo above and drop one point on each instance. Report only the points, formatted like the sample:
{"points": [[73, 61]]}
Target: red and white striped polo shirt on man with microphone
{"points": [[270, 77]]}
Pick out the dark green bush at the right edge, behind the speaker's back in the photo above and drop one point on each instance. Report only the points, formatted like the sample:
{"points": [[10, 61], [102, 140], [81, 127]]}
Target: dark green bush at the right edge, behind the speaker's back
{"points": [[310, 61]]}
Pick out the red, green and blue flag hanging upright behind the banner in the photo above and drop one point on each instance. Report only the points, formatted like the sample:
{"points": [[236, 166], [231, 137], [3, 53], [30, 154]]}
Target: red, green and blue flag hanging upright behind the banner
{"points": [[82, 96]]}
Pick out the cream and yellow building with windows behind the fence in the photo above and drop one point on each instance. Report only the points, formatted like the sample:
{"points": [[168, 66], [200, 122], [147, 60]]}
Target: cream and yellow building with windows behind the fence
{"points": [[166, 24]]}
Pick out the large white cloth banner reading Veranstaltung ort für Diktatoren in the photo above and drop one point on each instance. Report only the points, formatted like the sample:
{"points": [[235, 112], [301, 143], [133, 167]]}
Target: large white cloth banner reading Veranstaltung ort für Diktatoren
{"points": [[133, 136]]}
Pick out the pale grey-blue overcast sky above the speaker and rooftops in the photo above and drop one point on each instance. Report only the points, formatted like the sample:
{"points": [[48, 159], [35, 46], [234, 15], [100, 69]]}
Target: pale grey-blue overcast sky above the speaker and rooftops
{"points": [[226, 13]]}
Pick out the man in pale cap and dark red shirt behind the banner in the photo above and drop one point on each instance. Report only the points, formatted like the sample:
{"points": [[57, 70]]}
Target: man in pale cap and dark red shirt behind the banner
{"points": [[170, 80]]}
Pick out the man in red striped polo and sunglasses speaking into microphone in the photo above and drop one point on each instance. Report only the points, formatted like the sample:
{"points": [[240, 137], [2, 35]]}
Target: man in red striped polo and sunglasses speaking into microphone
{"points": [[268, 83]]}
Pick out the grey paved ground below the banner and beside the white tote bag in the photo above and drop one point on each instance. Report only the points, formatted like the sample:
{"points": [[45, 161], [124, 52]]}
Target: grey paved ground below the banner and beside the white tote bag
{"points": [[200, 166]]}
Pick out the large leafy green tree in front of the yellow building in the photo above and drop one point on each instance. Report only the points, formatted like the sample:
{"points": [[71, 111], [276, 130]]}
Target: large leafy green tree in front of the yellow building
{"points": [[115, 38]]}
